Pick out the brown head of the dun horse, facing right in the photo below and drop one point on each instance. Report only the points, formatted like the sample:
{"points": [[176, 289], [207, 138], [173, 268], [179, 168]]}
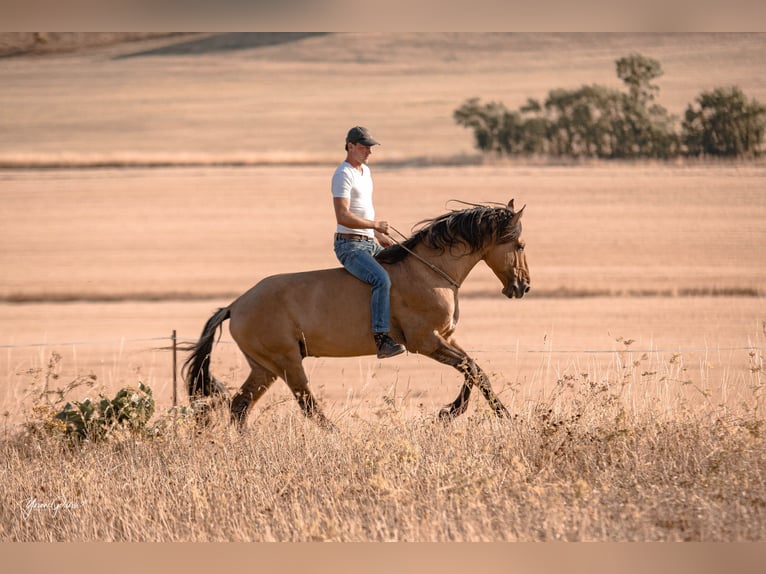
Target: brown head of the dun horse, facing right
{"points": [[506, 256]]}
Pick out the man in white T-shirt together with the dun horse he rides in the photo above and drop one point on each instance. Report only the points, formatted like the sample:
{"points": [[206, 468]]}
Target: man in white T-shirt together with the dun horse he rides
{"points": [[329, 312]]}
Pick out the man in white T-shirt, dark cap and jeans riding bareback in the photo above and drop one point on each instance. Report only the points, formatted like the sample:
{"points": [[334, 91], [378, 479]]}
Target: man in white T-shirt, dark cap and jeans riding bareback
{"points": [[357, 230]]}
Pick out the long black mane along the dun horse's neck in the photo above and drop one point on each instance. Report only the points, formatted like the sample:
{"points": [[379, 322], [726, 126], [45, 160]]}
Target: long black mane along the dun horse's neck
{"points": [[470, 228]]}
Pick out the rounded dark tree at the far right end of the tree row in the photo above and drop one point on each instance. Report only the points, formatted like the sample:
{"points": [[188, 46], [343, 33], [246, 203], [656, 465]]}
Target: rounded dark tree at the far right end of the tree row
{"points": [[724, 124]]}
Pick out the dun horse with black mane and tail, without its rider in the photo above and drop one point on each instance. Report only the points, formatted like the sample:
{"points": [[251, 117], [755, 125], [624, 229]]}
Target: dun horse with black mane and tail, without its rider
{"points": [[326, 313]]}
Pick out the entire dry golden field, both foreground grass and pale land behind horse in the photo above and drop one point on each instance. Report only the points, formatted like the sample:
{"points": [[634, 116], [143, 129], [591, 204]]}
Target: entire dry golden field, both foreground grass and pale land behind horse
{"points": [[145, 184]]}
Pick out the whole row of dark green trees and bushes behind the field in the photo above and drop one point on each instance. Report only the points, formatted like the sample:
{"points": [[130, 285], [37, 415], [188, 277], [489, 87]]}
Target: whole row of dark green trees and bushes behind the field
{"points": [[595, 121]]}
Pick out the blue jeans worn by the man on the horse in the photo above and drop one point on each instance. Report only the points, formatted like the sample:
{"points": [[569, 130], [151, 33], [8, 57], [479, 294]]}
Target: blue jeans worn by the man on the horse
{"points": [[358, 258]]}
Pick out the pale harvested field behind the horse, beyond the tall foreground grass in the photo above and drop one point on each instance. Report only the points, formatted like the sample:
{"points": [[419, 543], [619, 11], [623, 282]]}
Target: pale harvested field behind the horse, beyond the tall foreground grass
{"points": [[102, 264]]}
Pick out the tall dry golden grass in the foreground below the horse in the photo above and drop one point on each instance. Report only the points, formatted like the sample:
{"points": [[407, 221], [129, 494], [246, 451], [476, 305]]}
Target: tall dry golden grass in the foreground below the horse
{"points": [[646, 448]]}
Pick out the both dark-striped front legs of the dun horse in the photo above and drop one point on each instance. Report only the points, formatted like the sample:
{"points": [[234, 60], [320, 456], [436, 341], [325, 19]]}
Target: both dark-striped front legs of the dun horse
{"points": [[451, 354]]}
